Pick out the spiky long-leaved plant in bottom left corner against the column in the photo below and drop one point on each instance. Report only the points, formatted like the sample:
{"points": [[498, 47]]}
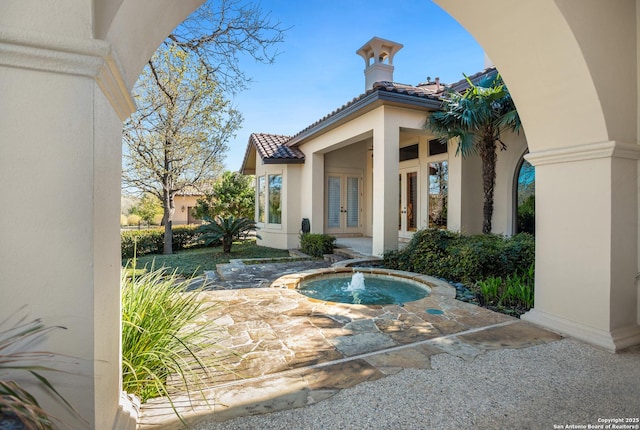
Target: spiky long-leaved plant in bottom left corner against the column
{"points": [[15, 401]]}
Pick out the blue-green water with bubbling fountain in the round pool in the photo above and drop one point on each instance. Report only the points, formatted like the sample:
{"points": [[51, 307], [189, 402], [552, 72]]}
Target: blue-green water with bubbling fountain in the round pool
{"points": [[375, 291]]}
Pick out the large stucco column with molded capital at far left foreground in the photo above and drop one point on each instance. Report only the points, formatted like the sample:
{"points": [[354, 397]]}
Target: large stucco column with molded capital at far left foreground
{"points": [[61, 111]]}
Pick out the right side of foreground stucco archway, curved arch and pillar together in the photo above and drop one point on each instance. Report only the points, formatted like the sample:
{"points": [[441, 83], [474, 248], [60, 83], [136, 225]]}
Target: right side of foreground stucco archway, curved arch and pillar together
{"points": [[559, 60]]}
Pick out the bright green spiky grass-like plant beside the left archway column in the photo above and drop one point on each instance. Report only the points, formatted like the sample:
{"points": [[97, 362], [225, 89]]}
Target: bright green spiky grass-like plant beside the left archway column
{"points": [[165, 335]]}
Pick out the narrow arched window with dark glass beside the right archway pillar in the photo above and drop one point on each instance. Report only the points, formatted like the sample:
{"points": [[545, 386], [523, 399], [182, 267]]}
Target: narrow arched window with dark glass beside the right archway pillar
{"points": [[525, 198]]}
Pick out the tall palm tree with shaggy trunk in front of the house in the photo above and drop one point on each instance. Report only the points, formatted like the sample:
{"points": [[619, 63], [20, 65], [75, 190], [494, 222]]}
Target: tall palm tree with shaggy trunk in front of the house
{"points": [[475, 119]]}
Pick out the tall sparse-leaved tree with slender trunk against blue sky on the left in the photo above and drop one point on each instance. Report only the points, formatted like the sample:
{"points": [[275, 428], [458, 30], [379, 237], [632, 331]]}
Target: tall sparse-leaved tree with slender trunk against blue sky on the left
{"points": [[179, 134]]}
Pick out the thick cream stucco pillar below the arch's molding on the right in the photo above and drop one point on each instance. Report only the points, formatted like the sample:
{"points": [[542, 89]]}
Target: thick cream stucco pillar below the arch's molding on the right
{"points": [[586, 242]]}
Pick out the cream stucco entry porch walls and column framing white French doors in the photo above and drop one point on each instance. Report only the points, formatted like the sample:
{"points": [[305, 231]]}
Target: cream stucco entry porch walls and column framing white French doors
{"points": [[383, 128]]}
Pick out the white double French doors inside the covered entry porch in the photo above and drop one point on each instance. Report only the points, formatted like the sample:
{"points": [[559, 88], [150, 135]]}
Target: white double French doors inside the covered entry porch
{"points": [[344, 192]]}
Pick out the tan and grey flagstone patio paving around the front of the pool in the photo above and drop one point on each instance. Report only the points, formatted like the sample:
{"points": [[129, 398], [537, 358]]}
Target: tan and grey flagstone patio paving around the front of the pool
{"points": [[293, 351]]}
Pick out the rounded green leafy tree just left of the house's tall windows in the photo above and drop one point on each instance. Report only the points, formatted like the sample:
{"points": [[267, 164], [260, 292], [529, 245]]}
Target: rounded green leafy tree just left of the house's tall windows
{"points": [[232, 195]]}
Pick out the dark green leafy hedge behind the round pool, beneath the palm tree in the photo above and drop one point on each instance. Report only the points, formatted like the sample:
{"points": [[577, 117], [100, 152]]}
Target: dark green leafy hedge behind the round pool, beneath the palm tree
{"points": [[466, 259]]}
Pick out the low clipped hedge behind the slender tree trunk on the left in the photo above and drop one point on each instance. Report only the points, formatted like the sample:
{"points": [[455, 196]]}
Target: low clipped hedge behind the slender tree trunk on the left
{"points": [[152, 241]]}
